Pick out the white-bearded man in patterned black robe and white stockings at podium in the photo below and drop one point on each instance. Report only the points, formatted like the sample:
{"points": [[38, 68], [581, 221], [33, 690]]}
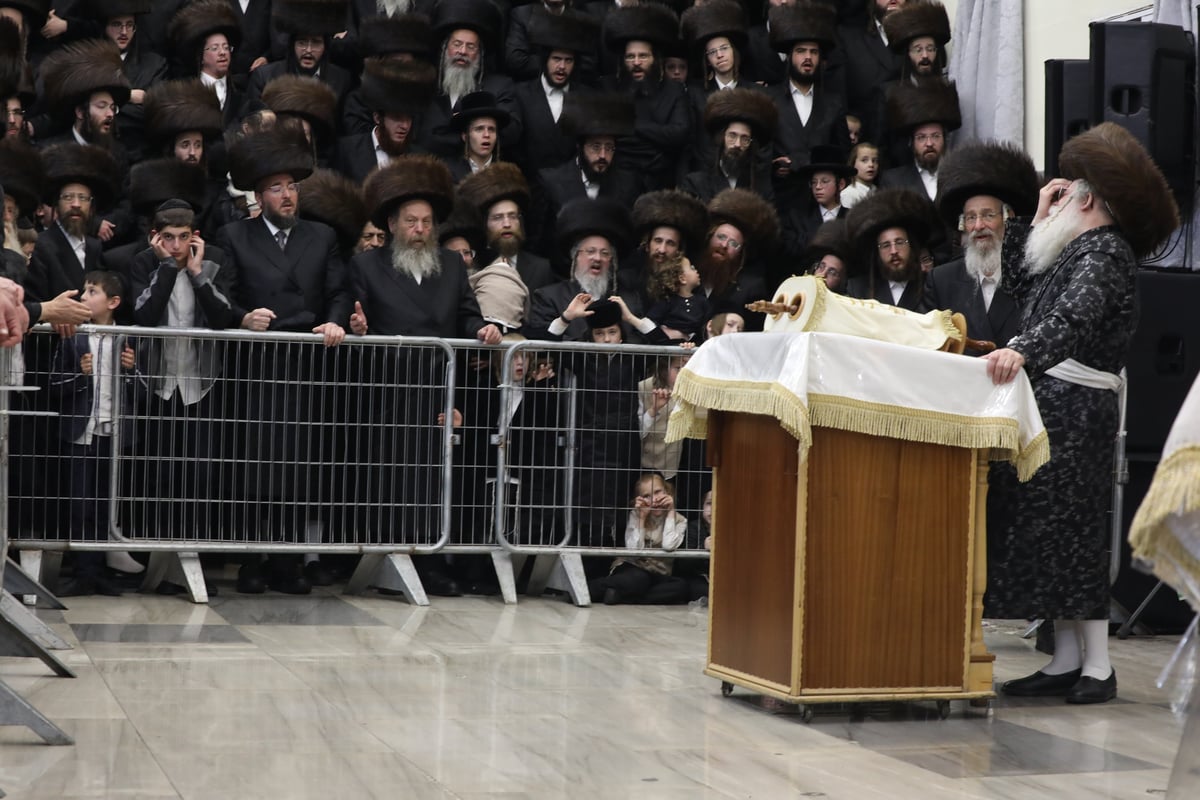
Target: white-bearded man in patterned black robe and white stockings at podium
{"points": [[1073, 273]]}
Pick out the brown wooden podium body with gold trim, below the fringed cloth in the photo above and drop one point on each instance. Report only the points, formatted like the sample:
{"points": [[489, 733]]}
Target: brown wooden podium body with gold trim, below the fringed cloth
{"points": [[855, 576]]}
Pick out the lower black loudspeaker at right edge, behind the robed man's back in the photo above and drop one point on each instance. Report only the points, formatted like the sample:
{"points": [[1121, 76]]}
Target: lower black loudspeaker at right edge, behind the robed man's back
{"points": [[1165, 357]]}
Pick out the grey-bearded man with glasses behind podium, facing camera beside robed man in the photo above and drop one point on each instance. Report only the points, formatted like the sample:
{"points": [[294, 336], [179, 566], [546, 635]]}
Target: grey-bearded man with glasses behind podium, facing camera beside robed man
{"points": [[982, 187]]}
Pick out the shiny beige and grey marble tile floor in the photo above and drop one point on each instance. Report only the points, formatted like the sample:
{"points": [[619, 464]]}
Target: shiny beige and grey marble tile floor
{"points": [[365, 697]]}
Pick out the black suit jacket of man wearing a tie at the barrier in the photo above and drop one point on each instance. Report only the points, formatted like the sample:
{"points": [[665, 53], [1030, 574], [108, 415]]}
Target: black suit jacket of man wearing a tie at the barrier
{"points": [[305, 286]]}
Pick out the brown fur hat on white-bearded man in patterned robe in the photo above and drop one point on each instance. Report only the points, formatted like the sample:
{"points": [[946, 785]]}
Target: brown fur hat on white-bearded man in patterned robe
{"points": [[1118, 167]]}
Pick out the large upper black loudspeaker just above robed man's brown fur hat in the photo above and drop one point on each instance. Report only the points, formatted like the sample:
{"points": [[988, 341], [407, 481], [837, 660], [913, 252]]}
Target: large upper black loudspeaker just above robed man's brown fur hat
{"points": [[1144, 80]]}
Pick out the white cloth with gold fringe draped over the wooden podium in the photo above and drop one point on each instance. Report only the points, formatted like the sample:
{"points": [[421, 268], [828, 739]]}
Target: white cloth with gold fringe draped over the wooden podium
{"points": [[865, 386]]}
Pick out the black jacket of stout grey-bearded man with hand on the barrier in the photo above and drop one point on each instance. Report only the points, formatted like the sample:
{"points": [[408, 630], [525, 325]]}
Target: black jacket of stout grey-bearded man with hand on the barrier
{"points": [[397, 305]]}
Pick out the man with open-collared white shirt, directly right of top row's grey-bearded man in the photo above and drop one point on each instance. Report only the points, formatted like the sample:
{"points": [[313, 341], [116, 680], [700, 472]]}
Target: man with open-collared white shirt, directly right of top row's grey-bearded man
{"points": [[562, 41]]}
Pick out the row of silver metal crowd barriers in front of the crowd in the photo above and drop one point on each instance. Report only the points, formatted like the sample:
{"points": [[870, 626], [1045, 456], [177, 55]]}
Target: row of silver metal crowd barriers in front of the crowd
{"points": [[383, 447]]}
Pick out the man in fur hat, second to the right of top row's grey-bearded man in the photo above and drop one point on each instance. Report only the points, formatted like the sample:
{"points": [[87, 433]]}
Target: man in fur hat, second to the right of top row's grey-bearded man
{"points": [[662, 118]]}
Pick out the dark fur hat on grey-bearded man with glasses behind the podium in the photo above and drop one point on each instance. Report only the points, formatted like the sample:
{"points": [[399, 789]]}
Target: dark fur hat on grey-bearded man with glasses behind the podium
{"points": [[1003, 171]]}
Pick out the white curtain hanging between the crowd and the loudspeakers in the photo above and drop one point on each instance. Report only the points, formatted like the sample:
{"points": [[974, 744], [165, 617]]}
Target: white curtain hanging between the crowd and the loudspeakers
{"points": [[988, 64]]}
